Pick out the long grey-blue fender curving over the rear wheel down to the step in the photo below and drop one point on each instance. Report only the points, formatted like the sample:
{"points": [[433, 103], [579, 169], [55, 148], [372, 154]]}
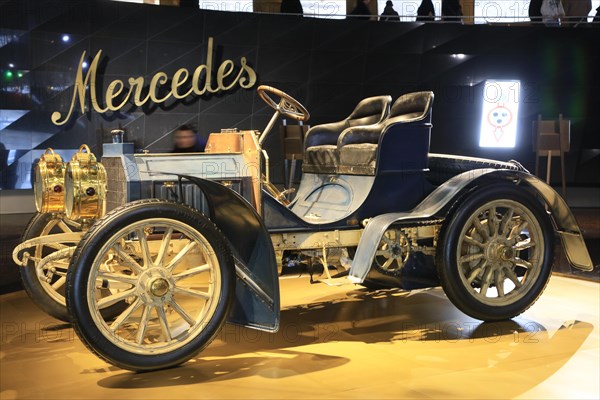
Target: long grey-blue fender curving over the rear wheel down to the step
{"points": [[446, 194]]}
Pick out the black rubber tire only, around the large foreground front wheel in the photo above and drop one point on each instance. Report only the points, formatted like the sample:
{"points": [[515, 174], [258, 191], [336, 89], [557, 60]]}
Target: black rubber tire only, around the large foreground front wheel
{"points": [[82, 264]]}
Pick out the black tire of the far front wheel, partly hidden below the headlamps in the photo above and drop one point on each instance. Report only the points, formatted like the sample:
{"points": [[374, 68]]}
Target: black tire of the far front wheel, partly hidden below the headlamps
{"points": [[31, 282]]}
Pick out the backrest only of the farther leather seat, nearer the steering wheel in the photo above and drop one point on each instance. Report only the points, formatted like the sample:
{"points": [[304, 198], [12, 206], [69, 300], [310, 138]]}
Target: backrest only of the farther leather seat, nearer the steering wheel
{"points": [[369, 111]]}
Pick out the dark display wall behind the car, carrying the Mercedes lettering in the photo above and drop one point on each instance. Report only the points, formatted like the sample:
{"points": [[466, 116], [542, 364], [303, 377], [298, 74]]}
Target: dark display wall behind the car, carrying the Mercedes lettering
{"points": [[328, 65]]}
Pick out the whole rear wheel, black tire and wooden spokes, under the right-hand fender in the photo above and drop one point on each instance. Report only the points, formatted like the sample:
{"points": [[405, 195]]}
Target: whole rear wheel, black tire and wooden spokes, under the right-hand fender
{"points": [[496, 252]]}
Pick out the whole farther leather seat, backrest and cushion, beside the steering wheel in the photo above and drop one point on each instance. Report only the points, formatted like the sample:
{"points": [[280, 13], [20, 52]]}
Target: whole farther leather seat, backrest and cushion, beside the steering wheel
{"points": [[321, 154]]}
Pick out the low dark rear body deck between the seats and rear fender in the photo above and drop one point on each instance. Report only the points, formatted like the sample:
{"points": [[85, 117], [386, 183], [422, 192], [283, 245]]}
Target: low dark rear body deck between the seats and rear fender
{"points": [[443, 167]]}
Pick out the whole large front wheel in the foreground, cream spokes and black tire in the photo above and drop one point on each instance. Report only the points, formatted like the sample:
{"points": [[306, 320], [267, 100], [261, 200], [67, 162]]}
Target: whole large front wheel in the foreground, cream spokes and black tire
{"points": [[172, 267]]}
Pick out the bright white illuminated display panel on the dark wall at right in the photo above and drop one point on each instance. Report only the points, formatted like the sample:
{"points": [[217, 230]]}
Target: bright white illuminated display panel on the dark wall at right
{"points": [[499, 114]]}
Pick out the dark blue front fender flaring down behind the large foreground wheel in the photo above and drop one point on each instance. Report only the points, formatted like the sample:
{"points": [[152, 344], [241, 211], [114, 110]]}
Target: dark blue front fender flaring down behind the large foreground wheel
{"points": [[256, 302]]}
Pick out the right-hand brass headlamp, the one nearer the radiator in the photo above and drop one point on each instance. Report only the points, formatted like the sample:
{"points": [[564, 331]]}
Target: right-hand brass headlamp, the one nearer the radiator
{"points": [[85, 184]]}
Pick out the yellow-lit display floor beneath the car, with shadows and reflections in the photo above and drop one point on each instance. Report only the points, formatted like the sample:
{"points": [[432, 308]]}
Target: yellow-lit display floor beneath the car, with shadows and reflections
{"points": [[335, 342]]}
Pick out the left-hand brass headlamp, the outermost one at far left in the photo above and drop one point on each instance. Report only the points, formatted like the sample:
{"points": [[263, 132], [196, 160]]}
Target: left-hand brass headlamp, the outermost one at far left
{"points": [[49, 183]]}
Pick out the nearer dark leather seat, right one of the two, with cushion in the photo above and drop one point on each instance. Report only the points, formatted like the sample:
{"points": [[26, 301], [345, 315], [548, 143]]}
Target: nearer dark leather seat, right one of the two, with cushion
{"points": [[357, 146]]}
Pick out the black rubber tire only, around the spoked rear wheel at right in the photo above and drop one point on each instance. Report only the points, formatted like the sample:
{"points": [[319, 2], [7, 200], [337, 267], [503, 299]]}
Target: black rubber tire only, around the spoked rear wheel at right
{"points": [[447, 267]]}
